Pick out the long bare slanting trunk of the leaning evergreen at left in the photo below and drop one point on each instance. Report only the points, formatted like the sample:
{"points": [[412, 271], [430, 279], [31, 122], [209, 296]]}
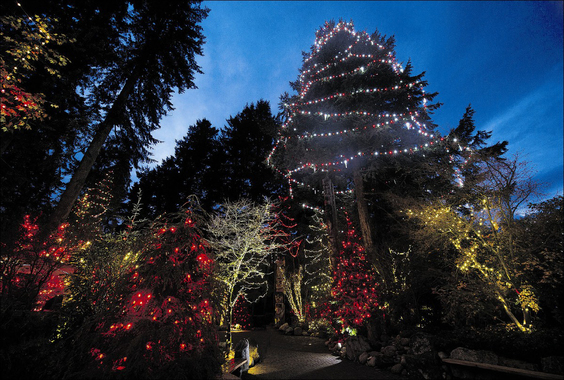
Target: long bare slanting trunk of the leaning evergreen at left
{"points": [[75, 185]]}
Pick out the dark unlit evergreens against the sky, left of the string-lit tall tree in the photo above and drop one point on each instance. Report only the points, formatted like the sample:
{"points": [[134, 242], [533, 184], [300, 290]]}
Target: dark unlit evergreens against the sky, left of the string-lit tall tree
{"points": [[214, 165]]}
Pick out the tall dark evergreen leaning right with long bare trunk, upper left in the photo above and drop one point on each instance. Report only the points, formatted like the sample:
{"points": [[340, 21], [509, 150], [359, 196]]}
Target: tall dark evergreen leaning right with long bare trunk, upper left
{"points": [[156, 57]]}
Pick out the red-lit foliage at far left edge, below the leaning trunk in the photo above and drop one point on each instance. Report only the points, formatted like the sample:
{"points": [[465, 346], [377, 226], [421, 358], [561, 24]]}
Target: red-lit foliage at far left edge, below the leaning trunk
{"points": [[31, 270]]}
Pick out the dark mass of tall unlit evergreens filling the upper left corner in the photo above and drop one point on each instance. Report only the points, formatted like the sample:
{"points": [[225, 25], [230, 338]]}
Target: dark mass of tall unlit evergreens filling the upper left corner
{"points": [[125, 61]]}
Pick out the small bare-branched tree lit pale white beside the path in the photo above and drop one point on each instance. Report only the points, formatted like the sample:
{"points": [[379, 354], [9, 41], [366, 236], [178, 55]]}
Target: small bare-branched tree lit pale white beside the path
{"points": [[244, 237]]}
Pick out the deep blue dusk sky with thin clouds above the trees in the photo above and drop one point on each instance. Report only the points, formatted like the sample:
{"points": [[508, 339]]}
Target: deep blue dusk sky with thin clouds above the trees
{"points": [[502, 57]]}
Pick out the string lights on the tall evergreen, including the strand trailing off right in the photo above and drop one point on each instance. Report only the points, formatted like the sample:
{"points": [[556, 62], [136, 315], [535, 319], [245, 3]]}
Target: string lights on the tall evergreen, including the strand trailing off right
{"points": [[366, 62]]}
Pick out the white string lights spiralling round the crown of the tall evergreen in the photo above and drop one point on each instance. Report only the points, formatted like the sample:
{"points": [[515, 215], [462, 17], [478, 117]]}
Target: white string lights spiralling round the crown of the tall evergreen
{"points": [[364, 62]]}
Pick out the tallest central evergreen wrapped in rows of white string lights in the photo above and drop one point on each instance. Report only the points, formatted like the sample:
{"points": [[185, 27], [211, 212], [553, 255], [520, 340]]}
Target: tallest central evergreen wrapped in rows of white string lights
{"points": [[355, 107]]}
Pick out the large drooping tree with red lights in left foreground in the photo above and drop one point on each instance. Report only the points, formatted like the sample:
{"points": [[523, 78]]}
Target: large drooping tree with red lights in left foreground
{"points": [[139, 304]]}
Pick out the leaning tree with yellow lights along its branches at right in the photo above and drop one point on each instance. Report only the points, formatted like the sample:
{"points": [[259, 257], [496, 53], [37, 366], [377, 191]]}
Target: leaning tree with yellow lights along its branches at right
{"points": [[483, 236]]}
